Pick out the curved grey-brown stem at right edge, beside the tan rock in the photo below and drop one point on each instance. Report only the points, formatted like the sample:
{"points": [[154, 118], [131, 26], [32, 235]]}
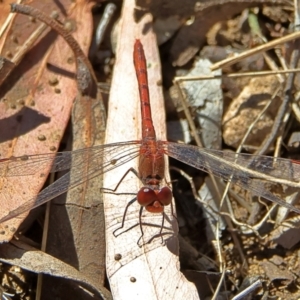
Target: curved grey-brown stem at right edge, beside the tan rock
{"points": [[283, 107]]}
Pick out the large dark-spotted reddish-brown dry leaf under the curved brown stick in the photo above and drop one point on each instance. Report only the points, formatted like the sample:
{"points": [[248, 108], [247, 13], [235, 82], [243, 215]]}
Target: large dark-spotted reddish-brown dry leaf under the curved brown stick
{"points": [[37, 99]]}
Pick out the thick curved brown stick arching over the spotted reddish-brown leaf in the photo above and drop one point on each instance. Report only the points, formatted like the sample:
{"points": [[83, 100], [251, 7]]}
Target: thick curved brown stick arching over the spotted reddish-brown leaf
{"points": [[85, 73]]}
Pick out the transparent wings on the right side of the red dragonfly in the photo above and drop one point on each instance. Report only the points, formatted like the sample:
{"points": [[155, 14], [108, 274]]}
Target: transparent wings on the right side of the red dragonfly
{"points": [[258, 174]]}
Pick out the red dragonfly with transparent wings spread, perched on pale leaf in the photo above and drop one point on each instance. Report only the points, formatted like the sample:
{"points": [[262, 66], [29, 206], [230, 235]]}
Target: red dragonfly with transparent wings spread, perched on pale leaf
{"points": [[258, 174]]}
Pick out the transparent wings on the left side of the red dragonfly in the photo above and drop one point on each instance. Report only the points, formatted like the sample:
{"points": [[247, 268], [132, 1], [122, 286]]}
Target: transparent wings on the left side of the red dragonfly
{"points": [[96, 161]]}
